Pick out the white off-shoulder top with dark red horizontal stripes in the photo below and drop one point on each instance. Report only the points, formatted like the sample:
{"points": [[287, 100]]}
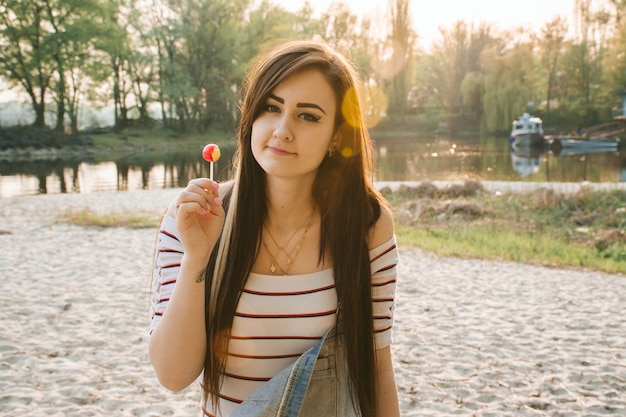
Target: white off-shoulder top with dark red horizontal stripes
{"points": [[278, 317]]}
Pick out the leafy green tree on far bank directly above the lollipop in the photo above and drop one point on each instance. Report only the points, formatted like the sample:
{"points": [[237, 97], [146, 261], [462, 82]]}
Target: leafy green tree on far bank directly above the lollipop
{"points": [[199, 58]]}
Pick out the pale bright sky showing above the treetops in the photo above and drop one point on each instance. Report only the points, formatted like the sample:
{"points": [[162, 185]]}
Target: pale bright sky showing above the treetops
{"points": [[429, 15]]}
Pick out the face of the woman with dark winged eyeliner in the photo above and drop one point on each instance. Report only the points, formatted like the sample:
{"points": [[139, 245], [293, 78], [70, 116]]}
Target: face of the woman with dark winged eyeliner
{"points": [[296, 126]]}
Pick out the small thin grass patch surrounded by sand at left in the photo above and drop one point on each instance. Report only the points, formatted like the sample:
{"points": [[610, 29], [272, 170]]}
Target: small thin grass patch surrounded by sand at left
{"points": [[88, 218]]}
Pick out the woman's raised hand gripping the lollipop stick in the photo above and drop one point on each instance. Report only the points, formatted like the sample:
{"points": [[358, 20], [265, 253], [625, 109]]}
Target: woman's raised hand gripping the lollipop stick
{"points": [[199, 217]]}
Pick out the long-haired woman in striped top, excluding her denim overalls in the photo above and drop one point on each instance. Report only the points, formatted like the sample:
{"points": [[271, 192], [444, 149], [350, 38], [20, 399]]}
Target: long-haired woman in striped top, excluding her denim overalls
{"points": [[251, 273]]}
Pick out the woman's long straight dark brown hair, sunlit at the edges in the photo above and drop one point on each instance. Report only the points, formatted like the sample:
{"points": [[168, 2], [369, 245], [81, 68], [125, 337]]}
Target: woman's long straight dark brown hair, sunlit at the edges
{"points": [[349, 206]]}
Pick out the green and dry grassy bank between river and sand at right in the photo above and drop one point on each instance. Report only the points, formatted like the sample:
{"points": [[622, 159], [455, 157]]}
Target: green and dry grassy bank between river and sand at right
{"points": [[582, 230]]}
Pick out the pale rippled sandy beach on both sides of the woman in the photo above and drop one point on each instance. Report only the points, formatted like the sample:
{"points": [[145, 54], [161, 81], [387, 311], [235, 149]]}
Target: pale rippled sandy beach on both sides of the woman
{"points": [[471, 337]]}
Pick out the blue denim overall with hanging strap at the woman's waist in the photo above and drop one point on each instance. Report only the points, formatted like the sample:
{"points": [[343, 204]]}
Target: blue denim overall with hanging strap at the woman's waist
{"points": [[315, 385]]}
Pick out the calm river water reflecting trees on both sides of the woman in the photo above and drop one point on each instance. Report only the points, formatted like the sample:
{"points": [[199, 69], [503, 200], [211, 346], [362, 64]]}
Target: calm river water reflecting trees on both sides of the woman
{"points": [[398, 159]]}
